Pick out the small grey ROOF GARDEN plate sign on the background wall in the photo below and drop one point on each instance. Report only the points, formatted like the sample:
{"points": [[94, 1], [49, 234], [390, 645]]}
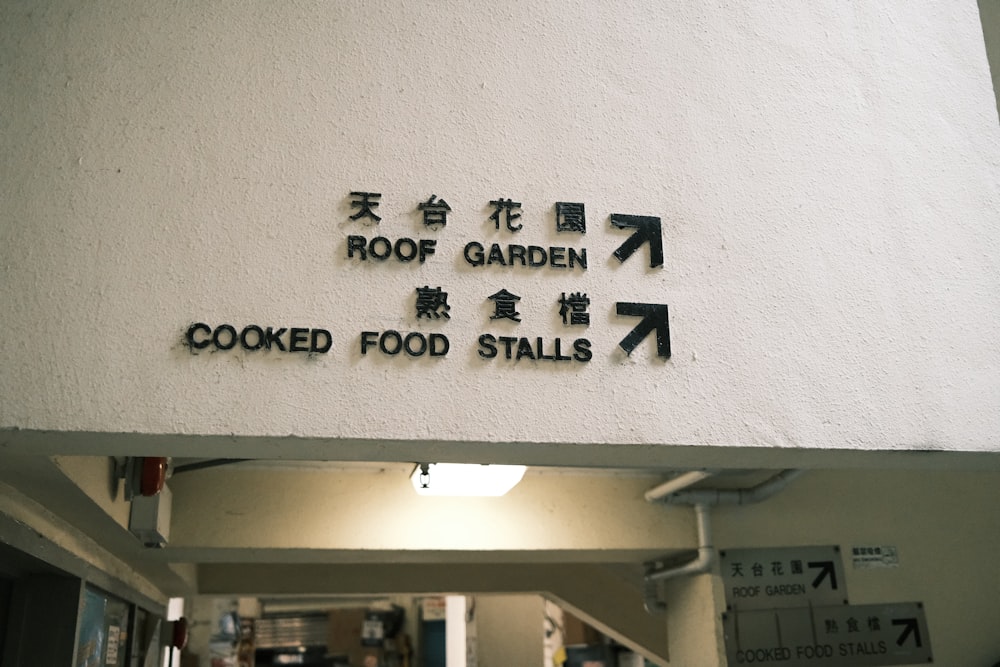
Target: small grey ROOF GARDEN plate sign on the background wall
{"points": [[783, 577]]}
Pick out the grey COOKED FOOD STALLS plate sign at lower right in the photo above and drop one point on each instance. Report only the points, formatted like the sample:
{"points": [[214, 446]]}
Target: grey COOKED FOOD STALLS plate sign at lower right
{"points": [[841, 636]]}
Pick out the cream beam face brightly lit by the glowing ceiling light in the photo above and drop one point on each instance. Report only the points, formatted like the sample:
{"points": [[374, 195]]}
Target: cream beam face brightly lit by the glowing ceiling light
{"points": [[551, 517]]}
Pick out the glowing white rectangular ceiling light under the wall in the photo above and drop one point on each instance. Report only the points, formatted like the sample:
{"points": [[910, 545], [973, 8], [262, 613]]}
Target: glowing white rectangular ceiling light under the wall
{"points": [[465, 479]]}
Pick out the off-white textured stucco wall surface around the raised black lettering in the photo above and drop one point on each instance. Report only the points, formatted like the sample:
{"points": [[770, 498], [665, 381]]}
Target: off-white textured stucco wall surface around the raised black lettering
{"points": [[826, 177]]}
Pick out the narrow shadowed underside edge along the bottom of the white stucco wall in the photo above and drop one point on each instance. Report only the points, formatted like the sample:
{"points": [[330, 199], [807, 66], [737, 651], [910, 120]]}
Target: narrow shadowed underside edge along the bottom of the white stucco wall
{"points": [[661, 456]]}
